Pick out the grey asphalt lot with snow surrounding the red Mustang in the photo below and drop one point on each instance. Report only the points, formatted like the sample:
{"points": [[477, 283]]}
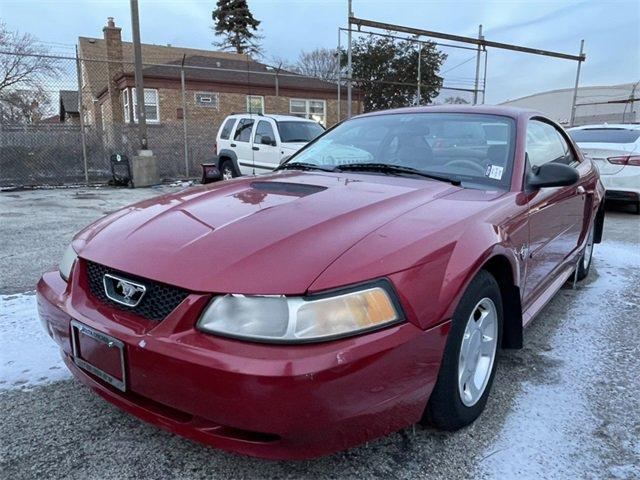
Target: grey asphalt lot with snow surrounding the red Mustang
{"points": [[565, 406]]}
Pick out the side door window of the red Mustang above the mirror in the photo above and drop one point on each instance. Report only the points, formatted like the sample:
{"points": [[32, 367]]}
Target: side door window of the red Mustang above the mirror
{"points": [[545, 145]]}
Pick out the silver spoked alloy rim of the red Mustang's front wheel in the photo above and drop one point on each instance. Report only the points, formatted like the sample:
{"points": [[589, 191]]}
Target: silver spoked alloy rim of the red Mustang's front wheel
{"points": [[477, 352]]}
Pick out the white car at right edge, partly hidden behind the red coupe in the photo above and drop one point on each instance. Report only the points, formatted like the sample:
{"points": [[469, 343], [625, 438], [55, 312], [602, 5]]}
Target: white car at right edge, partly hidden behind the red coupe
{"points": [[615, 149]]}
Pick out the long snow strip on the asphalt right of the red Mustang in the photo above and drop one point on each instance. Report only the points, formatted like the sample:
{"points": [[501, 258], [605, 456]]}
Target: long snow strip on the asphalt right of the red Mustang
{"points": [[539, 435]]}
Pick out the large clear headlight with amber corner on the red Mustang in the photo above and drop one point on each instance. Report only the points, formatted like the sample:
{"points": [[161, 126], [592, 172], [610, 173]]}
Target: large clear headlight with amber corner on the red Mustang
{"points": [[300, 319]]}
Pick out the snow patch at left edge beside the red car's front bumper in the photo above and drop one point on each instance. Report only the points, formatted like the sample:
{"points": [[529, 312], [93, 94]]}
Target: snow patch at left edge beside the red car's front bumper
{"points": [[28, 356]]}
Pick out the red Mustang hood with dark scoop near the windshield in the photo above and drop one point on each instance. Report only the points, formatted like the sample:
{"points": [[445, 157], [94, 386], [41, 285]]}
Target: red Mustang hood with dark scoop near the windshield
{"points": [[272, 234]]}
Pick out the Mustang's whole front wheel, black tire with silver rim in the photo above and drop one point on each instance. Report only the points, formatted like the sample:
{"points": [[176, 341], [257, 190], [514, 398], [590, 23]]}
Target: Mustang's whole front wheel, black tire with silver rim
{"points": [[450, 406]]}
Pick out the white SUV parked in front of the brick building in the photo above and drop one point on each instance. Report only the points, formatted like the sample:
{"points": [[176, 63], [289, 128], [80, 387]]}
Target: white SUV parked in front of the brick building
{"points": [[249, 144]]}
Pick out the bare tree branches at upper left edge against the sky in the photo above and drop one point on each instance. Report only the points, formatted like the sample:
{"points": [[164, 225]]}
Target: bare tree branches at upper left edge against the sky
{"points": [[23, 63]]}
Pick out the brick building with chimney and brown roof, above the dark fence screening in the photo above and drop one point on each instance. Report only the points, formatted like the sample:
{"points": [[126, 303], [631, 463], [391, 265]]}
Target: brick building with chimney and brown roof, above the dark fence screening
{"points": [[216, 84]]}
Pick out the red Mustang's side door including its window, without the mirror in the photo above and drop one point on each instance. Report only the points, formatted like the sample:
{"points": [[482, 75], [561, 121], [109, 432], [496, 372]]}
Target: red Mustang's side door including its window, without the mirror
{"points": [[556, 214]]}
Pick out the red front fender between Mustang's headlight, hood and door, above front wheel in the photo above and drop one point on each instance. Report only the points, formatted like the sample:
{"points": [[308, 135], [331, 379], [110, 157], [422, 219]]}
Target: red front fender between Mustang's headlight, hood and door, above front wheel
{"points": [[431, 253]]}
